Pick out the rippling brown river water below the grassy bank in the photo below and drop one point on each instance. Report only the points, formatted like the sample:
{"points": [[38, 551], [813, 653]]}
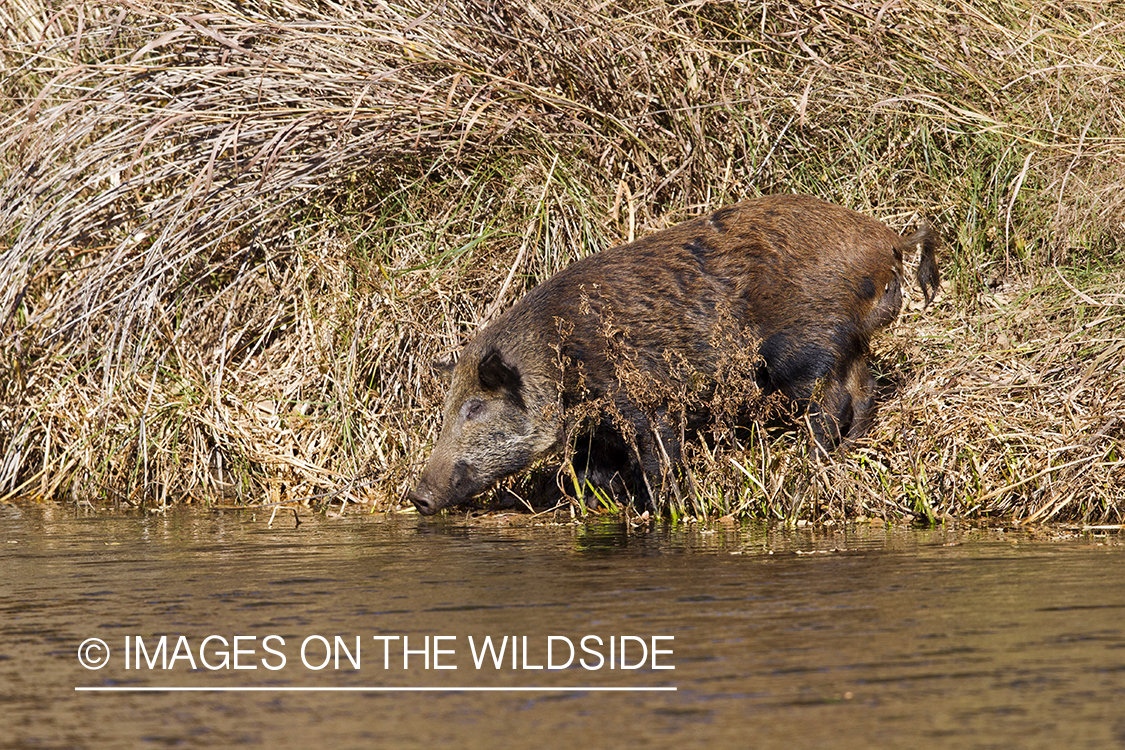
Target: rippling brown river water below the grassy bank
{"points": [[294, 636]]}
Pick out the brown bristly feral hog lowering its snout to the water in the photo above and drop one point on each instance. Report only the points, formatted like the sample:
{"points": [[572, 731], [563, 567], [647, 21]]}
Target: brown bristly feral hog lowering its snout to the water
{"points": [[627, 351]]}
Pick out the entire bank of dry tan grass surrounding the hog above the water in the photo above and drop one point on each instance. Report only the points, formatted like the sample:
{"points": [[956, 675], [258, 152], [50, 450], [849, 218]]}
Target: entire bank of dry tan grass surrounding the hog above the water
{"points": [[233, 237]]}
